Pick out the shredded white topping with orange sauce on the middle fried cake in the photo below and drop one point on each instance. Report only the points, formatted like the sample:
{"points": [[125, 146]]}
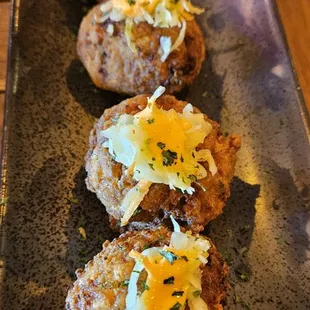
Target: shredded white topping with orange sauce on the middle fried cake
{"points": [[159, 146]]}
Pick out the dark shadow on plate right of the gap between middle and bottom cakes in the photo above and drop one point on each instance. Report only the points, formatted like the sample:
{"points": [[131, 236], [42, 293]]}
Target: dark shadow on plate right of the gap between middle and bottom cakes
{"points": [[232, 231]]}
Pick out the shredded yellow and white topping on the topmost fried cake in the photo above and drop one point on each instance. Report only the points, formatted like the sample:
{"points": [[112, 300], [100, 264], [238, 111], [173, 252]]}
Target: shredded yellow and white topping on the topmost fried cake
{"points": [[159, 13]]}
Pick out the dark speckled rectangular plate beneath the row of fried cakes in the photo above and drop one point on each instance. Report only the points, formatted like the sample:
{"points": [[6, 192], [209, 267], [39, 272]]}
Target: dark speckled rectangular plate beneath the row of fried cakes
{"points": [[247, 83]]}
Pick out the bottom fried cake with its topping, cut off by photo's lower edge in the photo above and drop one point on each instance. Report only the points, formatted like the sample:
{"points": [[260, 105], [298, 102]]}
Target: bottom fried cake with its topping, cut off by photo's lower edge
{"points": [[141, 268]]}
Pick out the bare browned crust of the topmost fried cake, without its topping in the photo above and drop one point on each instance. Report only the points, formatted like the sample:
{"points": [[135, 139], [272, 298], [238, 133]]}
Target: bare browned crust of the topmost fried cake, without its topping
{"points": [[113, 66]]}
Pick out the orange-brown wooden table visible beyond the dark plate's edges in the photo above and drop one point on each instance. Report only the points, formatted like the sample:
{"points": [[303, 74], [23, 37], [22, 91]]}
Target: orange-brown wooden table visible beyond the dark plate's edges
{"points": [[295, 15]]}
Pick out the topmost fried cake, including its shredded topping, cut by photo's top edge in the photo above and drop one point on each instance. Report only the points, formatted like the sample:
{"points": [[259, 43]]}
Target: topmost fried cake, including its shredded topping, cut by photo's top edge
{"points": [[130, 51]]}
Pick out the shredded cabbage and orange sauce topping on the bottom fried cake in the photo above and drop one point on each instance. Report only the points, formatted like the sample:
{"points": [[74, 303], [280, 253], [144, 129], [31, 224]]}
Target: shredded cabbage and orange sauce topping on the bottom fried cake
{"points": [[174, 275]]}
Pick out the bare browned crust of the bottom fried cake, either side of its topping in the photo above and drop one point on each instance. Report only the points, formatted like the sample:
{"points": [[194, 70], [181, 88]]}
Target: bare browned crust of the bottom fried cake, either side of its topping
{"points": [[102, 280]]}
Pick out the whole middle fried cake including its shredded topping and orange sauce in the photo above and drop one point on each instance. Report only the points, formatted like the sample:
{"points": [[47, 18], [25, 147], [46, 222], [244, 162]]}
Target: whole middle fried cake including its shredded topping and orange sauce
{"points": [[154, 157]]}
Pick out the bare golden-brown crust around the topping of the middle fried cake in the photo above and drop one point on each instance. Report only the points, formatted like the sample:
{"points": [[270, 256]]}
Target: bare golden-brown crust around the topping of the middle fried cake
{"points": [[110, 182]]}
